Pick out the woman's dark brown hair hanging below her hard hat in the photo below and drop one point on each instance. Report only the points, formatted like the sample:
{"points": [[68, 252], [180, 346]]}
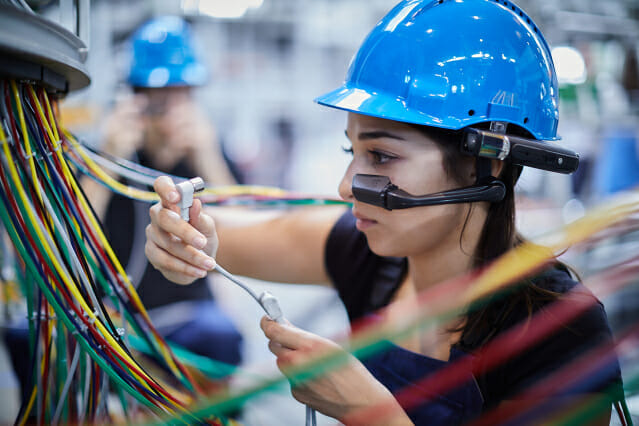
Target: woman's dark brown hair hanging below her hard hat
{"points": [[498, 235]]}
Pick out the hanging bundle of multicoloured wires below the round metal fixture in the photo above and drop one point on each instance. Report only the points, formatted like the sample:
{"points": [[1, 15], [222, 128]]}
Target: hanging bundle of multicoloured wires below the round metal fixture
{"points": [[72, 280]]}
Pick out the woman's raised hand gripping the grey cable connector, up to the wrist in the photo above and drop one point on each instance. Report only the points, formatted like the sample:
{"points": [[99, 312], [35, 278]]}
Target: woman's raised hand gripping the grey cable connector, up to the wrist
{"points": [[182, 251]]}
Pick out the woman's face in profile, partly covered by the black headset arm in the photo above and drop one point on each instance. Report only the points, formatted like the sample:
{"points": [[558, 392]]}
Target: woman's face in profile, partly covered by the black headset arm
{"points": [[414, 163]]}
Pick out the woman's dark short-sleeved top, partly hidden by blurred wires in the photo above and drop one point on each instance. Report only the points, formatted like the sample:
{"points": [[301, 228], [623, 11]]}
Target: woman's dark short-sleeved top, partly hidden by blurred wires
{"points": [[366, 282]]}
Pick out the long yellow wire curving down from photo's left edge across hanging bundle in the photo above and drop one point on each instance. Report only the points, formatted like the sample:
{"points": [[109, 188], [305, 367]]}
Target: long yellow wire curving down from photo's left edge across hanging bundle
{"points": [[62, 271]]}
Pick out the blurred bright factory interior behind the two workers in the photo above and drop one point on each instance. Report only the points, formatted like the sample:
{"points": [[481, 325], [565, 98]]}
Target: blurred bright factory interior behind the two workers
{"points": [[270, 58]]}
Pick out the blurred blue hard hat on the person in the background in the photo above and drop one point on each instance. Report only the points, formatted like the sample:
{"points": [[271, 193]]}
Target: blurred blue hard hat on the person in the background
{"points": [[163, 55]]}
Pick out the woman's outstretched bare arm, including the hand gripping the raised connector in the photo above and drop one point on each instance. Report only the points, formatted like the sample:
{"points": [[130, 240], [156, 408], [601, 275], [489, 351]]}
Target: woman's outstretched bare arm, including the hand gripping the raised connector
{"points": [[286, 248]]}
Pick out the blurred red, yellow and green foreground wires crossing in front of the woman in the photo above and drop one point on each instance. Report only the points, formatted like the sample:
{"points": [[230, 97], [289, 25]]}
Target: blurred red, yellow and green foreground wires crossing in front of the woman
{"points": [[451, 298]]}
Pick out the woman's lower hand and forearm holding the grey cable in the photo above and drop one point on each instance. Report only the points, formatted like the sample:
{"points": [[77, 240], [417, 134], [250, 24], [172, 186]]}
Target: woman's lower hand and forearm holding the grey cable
{"points": [[338, 393]]}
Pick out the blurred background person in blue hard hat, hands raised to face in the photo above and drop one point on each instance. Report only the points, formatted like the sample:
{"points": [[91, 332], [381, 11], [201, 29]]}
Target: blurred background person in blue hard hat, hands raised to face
{"points": [[159, 125]]}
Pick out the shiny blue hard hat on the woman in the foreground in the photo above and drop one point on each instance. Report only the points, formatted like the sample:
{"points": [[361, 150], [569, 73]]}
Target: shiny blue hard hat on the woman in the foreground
{"points": [[452, 64]]}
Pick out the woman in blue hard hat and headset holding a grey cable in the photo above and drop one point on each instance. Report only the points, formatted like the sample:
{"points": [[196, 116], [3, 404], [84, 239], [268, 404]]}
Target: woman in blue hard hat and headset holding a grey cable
{"points": [[447, 98]]}
